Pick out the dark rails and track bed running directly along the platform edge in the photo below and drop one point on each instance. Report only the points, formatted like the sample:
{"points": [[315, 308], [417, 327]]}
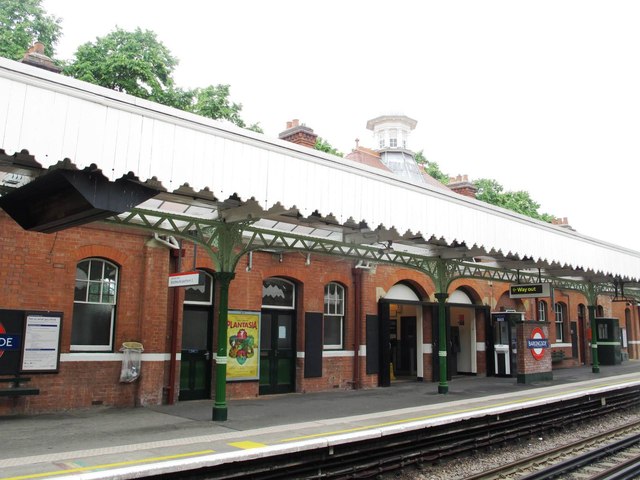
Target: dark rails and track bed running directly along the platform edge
{"points": [[374, 457]]}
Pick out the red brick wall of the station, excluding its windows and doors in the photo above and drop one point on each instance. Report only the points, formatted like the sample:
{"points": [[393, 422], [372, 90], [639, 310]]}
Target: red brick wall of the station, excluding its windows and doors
{"points": [[38, 273]]}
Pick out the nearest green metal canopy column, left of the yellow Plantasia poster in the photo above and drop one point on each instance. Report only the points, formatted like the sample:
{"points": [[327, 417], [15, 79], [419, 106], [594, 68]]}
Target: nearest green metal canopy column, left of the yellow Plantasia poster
{"points": [[223, 279]]}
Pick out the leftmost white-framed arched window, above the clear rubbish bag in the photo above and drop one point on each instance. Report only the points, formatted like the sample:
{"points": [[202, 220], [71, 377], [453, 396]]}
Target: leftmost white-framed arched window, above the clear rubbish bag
{"points": [[94, 305]]}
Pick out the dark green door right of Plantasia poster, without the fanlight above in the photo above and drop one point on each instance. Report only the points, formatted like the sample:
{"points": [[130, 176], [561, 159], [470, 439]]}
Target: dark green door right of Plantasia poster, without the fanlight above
{"points": [[277, 352]]}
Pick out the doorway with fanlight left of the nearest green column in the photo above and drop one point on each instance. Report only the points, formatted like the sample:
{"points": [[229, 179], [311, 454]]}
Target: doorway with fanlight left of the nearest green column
{"points": [[195, 357]]}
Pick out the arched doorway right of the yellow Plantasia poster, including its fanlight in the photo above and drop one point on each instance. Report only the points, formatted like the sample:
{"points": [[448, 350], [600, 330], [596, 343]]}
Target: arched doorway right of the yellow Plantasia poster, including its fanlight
{"points": [[278, 336]]}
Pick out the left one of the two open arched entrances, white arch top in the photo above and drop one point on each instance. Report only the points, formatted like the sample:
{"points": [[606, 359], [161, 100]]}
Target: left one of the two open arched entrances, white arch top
{"points": [[405, 333]]}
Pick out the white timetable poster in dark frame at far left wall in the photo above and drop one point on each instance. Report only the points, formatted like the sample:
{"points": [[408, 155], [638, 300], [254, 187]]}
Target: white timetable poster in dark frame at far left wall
{"points": [[41, 342]]}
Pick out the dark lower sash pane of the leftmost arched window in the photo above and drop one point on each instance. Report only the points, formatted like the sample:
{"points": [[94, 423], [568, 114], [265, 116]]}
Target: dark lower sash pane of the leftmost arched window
{"points": [[92, 324]]}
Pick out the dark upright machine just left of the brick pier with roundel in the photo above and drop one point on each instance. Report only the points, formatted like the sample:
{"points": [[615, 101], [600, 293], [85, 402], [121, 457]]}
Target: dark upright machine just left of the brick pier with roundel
{"points": [[505, 351]]}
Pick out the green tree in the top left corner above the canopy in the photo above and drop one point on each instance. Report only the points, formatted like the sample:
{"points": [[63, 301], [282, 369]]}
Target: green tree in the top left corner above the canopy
{"points": [[24, 22]]}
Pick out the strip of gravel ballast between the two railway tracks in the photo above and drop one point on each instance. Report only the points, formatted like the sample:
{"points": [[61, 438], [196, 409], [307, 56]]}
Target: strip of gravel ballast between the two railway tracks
{"points": [[460, 468]]}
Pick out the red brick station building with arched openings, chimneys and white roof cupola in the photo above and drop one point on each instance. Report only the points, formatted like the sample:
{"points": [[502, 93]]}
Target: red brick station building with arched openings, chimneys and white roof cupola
{"points": [[306, 323]]}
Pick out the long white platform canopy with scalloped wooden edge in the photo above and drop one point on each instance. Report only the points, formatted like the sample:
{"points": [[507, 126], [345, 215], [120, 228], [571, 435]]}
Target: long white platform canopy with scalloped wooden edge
{"points": [[197, 167]]}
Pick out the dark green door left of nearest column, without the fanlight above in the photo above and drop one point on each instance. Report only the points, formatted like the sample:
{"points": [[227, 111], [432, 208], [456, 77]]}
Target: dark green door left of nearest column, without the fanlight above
{"points": [[195, 364]]}
